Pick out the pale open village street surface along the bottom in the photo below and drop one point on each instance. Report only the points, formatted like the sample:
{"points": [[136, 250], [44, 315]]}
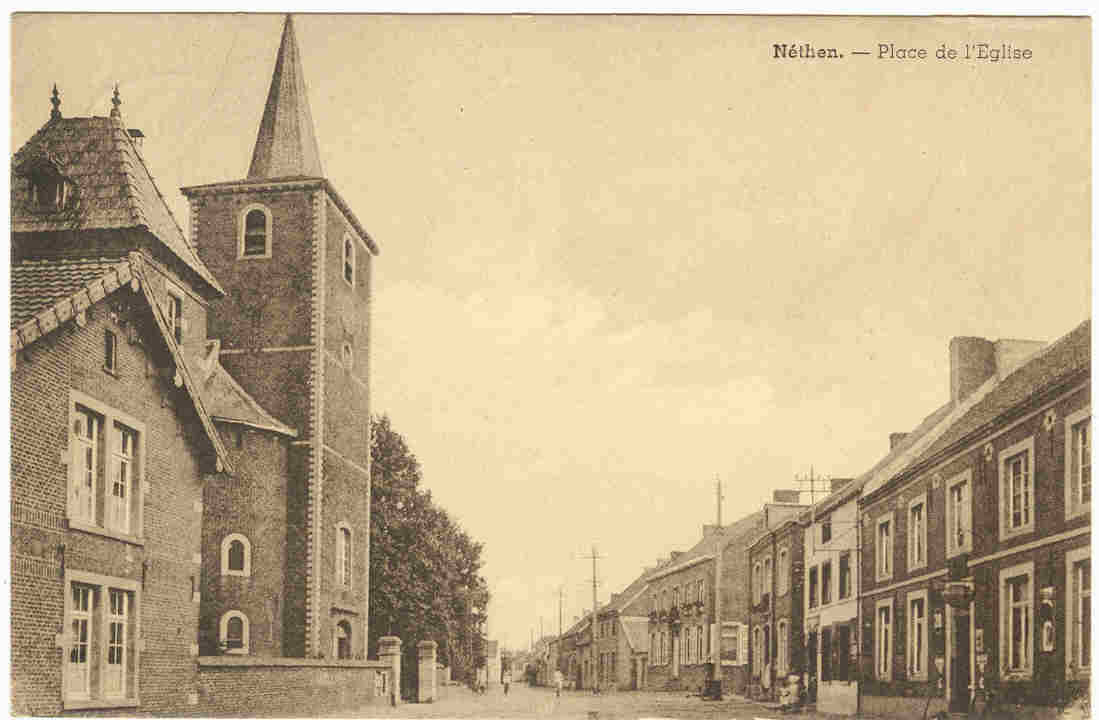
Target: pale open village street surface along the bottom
{"points": [[524, 702]]}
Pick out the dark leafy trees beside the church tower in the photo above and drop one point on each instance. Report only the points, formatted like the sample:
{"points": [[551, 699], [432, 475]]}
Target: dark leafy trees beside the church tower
{"points": [[426, 580]]}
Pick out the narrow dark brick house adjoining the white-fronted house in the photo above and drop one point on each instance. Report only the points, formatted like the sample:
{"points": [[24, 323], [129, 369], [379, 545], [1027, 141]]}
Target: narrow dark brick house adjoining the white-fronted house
{"points": [[775, 619]]}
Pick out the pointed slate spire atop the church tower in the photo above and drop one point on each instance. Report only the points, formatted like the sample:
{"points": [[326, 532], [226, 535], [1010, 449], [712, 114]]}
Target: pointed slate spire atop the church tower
{"points": [[286, 145]]}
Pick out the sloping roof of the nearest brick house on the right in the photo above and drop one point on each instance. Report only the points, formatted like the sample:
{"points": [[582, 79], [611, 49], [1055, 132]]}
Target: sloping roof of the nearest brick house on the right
{"points": [[1049, 368]]}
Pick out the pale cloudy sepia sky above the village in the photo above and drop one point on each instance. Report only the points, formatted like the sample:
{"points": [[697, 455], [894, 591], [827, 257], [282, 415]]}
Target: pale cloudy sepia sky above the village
{"points": [[623, 257]]}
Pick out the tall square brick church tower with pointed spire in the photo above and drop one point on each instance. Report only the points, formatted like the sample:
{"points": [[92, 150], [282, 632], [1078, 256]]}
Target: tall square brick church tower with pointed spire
{"points": [[294, 333]]}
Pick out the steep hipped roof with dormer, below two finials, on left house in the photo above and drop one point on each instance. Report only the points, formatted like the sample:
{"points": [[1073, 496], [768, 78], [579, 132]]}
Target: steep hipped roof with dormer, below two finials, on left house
{"points": [[115, 190]]}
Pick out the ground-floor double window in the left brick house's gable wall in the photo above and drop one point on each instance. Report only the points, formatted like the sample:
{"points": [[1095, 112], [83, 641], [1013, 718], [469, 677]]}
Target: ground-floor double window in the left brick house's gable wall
{"points": [[102, 660]]}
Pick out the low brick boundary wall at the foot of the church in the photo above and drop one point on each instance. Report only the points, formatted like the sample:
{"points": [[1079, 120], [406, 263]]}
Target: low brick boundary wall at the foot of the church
{"points": [[284, 686]]}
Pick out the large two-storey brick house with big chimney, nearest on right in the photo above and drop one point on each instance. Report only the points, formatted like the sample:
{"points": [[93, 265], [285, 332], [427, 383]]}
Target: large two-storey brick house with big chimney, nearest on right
{"points": [[978, 560]]}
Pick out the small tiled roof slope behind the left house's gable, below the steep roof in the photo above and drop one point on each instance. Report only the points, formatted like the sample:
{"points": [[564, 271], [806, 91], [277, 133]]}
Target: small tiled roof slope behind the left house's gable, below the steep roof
{"points": [[37, 285]]}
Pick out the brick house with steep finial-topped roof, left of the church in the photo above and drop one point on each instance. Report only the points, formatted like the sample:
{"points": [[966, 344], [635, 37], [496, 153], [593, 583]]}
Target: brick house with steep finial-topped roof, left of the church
{"points": [[112, 439]]}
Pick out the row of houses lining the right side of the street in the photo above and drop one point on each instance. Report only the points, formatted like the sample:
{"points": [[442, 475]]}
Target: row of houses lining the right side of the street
{"points": [[956, 569]]}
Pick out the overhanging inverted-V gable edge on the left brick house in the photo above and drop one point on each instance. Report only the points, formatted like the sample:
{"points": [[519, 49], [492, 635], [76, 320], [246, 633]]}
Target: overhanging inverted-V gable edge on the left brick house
{"points": [[126, 273]]}
